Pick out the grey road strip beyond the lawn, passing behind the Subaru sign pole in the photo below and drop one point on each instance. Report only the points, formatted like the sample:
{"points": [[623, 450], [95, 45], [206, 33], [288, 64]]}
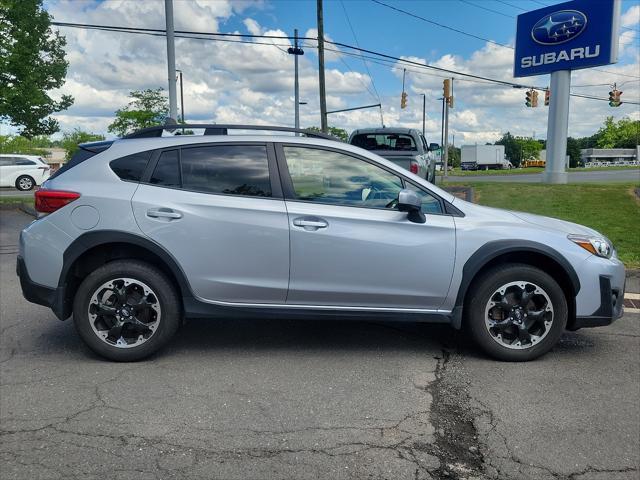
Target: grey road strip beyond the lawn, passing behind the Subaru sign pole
{"points": [[597, 176]]}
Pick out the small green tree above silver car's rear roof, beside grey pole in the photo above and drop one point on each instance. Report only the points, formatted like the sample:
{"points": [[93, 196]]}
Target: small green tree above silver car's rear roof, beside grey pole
{"points": [[145, 109]]}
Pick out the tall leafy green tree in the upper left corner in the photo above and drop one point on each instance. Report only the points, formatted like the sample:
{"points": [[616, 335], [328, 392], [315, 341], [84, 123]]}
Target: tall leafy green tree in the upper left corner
{"points": [[32, 62]]}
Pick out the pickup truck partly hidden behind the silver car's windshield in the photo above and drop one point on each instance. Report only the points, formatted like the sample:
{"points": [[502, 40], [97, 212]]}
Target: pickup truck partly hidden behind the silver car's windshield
{"points": [[406, 147]]}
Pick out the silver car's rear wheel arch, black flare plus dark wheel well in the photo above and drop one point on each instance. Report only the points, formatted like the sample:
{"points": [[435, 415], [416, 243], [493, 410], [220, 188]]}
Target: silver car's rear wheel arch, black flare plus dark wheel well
{"points": [[94, 249]]}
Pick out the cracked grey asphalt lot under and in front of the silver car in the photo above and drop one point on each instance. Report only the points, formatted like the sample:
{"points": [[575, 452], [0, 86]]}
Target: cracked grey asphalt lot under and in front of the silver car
{"points": [[296, 400]]}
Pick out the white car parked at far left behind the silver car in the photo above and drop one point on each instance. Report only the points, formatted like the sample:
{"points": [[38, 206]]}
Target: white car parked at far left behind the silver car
{"points": [[23, 171]]}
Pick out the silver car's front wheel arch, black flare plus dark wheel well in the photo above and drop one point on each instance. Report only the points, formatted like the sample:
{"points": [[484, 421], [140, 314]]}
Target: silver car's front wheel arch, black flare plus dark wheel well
{"points": [[524, 251]]}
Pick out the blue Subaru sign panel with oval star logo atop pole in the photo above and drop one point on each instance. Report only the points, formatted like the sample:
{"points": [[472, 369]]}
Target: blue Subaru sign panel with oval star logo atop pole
{"points": [[567, 36]]}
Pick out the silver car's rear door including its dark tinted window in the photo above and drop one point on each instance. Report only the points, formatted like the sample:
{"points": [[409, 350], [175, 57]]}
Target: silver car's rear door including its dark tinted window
{"points": [[218, 209]]}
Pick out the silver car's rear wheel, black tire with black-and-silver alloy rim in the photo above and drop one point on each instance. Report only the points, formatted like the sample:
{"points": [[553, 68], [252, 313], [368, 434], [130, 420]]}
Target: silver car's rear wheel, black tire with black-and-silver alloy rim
{"points": [[150, 318]]}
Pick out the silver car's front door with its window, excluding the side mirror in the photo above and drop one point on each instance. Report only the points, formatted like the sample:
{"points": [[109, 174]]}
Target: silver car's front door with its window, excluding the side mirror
{"points": [[350, 246]]}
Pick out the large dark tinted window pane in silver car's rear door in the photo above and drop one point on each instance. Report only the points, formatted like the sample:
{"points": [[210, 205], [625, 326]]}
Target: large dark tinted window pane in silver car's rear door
{"points": [[226, 169]]}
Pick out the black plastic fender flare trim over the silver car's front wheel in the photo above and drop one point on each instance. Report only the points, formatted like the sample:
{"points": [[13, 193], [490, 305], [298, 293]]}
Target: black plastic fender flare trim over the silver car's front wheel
{"points": [[491, 250]]}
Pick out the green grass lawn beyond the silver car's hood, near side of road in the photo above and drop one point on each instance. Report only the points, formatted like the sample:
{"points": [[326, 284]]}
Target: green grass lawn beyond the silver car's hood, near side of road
{"points": [[612, 209]]}
